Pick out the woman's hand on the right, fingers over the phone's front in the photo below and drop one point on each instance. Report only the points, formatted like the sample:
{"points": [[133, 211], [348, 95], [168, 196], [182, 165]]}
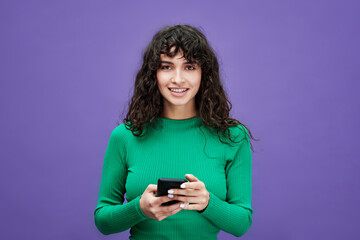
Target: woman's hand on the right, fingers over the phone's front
{"points": [[195, 192]]}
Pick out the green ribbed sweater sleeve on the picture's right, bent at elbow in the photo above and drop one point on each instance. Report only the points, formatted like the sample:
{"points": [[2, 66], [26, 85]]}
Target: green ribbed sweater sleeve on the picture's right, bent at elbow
{"points": [[234, 215]]}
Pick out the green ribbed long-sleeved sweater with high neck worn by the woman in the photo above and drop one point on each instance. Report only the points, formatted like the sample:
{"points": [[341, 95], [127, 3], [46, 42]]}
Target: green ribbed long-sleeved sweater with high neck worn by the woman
{"points": [[170, 150]]}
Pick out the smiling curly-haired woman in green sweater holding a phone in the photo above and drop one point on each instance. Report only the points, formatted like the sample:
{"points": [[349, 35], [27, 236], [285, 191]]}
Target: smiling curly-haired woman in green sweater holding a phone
{"points": [[177, 126]]}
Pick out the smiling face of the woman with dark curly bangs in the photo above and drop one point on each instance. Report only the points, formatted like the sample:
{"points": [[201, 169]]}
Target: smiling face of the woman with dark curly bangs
{"points": [[176, 74]]}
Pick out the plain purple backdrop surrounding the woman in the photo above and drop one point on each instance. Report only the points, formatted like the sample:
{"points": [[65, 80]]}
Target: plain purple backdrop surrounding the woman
{"points": [[291, 70]]}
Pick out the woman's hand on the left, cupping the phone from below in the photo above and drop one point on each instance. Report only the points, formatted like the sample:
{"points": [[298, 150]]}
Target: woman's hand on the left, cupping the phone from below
{"points": [[151, 205]]}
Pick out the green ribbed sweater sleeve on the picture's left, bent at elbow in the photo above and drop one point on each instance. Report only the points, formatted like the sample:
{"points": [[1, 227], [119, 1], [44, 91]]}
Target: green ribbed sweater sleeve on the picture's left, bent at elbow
{"points": [[111, 215]]}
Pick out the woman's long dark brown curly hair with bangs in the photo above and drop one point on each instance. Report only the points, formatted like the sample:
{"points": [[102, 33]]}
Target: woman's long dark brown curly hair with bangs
{"points": [[211, 100]]}
